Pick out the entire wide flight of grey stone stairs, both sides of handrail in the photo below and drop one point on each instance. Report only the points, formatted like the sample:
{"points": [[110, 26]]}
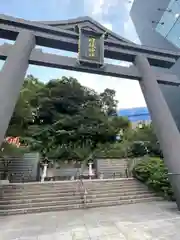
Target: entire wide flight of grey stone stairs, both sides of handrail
{"points": [[56, 196]]}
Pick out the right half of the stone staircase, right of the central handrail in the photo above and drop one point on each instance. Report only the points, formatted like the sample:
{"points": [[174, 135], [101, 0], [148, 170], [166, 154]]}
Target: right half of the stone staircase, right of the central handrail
{"points": [[117, 192]]}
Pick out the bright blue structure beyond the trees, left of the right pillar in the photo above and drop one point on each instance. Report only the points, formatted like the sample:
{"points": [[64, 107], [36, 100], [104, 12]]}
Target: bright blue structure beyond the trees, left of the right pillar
{"points": [[135, 114]]}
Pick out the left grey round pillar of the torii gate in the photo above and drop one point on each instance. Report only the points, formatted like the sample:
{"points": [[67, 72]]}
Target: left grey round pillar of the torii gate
{"points": [[12, 77]]}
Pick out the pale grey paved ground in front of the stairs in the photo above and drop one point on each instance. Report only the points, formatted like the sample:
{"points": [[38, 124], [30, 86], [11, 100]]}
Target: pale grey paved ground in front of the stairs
{"points": [[155, 220]]}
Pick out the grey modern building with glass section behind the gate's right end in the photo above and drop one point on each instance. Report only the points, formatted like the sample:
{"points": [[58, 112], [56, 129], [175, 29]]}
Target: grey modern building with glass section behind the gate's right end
{"points": [[157, 24]]}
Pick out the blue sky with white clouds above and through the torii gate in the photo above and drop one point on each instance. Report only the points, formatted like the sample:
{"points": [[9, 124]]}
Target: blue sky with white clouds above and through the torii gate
{"points": [[113, 14]]}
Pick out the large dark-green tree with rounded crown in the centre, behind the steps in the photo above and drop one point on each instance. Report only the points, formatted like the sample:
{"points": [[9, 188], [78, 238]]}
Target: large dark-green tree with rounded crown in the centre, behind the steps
{"points": [[70, 116]]}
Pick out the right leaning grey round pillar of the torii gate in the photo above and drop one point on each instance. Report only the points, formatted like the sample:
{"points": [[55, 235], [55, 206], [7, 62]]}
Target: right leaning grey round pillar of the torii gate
{"points": [[164, 124]]}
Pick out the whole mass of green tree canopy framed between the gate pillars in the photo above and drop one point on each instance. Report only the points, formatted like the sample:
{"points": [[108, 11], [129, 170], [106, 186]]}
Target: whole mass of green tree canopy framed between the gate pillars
{"points": [[62, 117]]}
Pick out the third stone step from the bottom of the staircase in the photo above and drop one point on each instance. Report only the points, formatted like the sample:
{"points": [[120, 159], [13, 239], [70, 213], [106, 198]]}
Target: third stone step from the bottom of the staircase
{"points": [[91, 195]]}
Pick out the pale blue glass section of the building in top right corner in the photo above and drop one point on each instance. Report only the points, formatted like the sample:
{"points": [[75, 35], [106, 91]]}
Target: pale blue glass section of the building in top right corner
{"points": [[169, 24]]}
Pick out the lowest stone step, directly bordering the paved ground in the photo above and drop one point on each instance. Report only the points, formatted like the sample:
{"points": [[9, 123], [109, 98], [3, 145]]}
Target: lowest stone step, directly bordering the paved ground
{"points": [[75, 206]]}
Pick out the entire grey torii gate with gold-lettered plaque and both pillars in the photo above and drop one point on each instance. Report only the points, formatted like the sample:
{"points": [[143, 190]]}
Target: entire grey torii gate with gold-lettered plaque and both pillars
{"points": [[93, 42]]}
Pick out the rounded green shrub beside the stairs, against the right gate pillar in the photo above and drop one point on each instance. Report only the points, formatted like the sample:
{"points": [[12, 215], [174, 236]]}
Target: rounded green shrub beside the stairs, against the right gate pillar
{"points": [[154, 173]]}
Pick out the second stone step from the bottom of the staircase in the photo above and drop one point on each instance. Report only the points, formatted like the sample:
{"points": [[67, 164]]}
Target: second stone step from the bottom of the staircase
{"points": [[72, 201]]}
